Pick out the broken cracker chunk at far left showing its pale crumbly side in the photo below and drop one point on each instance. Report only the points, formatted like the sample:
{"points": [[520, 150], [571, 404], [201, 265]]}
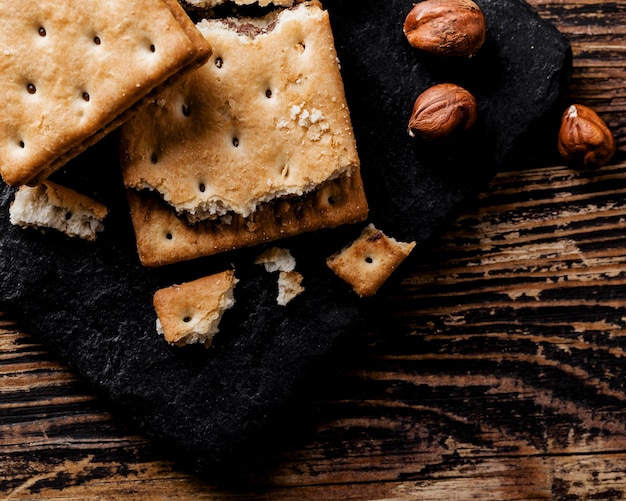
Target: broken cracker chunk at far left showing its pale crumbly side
{"points": [[50, 205]]}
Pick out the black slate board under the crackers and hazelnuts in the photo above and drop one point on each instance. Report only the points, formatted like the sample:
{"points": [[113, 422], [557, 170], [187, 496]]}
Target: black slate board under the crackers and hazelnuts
{"points": [[91, 302]]}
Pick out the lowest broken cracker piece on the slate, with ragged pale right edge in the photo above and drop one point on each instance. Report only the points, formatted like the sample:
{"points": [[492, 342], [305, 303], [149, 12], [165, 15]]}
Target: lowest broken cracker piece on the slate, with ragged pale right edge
{"points": [[191, 312]]}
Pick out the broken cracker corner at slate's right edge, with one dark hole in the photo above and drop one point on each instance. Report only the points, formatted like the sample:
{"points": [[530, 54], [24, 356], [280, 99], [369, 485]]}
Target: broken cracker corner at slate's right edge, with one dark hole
{"points": [[367, 262]]}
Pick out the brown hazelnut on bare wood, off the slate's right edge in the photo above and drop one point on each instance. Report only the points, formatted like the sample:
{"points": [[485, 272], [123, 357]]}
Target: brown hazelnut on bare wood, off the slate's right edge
{"points": [[584, 138]]}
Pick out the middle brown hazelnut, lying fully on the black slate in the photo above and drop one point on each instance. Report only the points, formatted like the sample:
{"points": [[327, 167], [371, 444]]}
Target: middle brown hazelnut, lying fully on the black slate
{"points": [[441, 110]]}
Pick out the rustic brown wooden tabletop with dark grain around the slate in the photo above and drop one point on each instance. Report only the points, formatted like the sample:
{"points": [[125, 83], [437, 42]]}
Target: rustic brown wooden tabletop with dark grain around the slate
{"points": [[496, 369]]}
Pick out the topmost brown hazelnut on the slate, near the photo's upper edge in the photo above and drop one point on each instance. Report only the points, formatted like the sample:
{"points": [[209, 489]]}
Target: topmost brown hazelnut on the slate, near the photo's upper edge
{"points": [[446, 27]]}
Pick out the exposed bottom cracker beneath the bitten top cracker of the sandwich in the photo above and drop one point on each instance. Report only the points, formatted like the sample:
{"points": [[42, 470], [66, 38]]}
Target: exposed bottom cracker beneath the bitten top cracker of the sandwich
{"points": [[165, 238]]}
